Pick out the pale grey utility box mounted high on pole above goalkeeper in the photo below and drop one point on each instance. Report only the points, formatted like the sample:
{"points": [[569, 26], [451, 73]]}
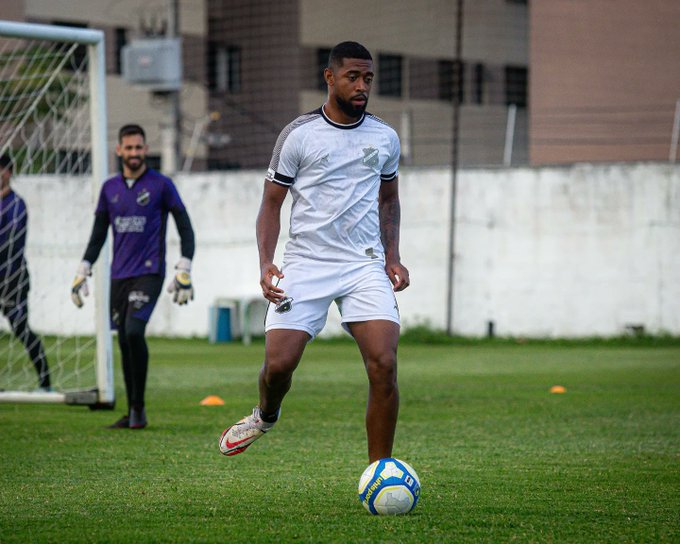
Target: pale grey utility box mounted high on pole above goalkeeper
{"points": [[154, 63]]}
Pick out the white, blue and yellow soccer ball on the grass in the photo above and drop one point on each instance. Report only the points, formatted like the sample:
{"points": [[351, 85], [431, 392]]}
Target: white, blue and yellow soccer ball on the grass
{"points": [[389, 486]]}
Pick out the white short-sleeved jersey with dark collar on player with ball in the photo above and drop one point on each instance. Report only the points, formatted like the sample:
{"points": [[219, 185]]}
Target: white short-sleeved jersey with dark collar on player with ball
{"points": [[334, 174]]}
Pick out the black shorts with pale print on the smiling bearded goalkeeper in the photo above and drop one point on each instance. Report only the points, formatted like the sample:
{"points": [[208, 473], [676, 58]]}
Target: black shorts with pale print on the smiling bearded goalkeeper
{"points": [[134, 297]]}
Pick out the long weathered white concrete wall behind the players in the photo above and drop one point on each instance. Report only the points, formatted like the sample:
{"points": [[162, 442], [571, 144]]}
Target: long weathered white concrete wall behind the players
{"points": [[575, 251]]}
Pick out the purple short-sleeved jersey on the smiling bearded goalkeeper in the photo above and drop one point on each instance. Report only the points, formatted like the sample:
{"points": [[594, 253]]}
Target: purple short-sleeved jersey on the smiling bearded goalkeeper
{"points": [[138, 216]]}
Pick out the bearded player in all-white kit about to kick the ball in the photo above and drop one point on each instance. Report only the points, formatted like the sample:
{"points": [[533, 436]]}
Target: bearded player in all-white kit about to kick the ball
{"points": [[340, 165]]}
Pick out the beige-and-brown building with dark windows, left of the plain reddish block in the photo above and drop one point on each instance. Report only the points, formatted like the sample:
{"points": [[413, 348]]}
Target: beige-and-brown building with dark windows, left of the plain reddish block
{"points": [[257, 64]]}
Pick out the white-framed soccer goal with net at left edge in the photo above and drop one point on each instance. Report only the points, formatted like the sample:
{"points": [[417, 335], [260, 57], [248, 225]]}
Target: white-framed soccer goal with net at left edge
{"points": [[53, 135]]}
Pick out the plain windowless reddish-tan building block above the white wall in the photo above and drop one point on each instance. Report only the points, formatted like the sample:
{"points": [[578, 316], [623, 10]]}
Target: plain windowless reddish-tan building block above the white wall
{"points": [[605, 80]]}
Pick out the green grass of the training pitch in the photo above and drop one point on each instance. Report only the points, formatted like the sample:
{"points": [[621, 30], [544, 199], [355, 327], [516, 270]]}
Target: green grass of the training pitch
{"points": [[500, 458]]}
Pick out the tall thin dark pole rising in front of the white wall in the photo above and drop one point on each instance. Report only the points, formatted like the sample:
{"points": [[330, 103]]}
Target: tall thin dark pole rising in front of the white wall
{"points": [[450, 278]]}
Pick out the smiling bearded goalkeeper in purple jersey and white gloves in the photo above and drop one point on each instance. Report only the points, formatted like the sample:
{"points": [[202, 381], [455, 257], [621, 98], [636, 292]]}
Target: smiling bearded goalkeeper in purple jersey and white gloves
{"points": [[135, 204]]}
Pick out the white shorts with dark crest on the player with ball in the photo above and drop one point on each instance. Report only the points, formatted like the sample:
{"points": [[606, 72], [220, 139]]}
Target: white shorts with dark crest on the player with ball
{"points": [[362, 291]]}
